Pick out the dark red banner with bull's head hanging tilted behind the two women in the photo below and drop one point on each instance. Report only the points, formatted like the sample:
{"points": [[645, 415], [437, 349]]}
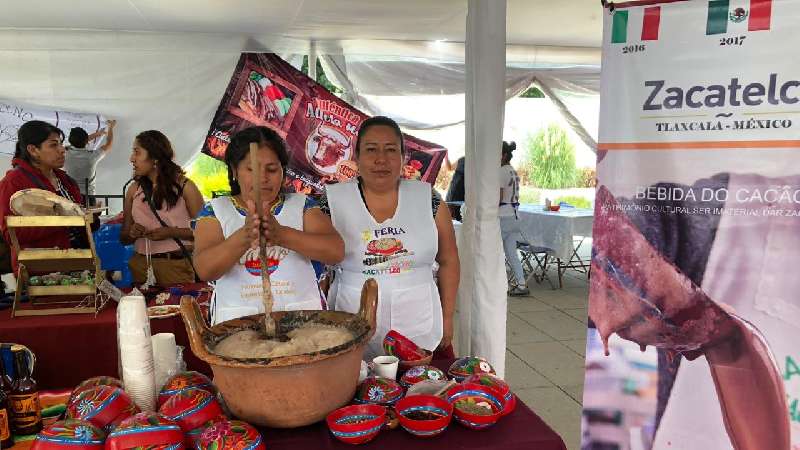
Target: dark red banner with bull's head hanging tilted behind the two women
{"points": [[319, 128]]}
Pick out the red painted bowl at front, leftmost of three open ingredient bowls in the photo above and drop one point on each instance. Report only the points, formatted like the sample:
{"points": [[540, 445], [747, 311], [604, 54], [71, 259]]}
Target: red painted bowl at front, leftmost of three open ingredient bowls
{"points": [[357, 424]]}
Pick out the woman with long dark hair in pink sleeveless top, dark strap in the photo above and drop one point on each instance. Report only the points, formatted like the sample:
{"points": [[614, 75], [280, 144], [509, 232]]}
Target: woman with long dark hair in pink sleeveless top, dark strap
{"points": [[158, 207]]}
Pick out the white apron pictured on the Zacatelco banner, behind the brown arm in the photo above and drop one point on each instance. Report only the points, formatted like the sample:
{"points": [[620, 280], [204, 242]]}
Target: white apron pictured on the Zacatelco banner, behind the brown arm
{"points": [[752, 268]]}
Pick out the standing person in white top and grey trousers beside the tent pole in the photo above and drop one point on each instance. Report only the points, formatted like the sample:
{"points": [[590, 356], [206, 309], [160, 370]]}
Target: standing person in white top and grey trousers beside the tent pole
{"points": [[509, 219]]}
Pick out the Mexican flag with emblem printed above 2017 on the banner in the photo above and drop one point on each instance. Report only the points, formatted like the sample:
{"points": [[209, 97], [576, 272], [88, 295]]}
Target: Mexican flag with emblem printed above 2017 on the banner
{"points": [[737, 16]]}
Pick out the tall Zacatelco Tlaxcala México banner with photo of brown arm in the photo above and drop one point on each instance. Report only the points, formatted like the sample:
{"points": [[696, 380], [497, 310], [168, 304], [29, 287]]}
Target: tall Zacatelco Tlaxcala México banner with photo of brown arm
{"points": [[694, 307]]}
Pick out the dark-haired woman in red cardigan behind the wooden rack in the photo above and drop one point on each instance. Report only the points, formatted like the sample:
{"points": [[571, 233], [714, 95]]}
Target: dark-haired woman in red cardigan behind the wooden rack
{"points": [[37, 163]]}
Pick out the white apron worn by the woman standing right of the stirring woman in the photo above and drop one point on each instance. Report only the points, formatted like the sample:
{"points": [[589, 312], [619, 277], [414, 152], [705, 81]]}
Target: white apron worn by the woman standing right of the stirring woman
{"points": [[399, 253]]}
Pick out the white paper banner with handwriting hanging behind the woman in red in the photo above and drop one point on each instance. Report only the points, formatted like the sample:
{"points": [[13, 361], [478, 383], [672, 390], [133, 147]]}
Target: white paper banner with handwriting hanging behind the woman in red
{"points": [[13, 115]]}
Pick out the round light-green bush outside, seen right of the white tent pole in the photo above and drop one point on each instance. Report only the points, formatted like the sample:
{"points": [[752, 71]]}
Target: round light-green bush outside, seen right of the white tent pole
{"points": [[550, 159]]}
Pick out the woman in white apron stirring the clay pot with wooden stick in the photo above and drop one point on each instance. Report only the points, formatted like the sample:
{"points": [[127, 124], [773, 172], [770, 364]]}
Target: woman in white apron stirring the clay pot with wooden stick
{"points": [[226, 235]]}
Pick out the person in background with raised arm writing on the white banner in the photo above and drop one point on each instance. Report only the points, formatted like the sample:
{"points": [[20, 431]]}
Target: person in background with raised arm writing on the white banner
{"points": [[81, 161]]}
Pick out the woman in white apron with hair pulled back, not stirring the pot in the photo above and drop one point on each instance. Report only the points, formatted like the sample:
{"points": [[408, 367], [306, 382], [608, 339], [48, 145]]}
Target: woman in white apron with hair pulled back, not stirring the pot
{"points": [[394, 231]]}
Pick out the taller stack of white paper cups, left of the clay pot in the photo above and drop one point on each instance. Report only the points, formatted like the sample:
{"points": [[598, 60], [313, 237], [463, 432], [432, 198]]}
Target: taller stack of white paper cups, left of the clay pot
{"points": [[136, 352]]}
